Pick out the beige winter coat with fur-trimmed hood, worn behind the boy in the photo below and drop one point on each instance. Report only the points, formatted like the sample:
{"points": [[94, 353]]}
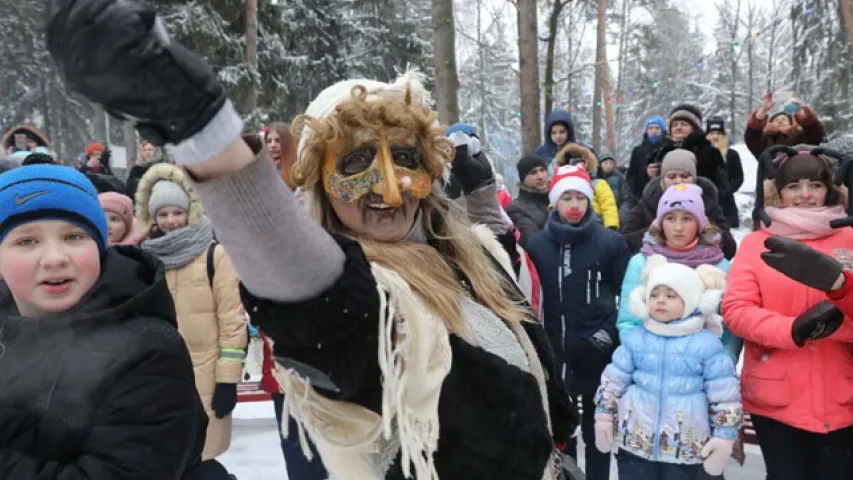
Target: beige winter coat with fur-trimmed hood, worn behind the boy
{"points": [[211, 320]]}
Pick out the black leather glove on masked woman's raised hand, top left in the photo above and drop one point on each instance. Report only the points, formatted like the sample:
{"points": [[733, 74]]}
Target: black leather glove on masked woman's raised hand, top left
{"points": [[117, 53]]}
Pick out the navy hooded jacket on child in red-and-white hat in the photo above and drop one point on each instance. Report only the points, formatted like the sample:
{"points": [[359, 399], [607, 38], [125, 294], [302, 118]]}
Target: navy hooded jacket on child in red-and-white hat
{"points": [[580, 269]]}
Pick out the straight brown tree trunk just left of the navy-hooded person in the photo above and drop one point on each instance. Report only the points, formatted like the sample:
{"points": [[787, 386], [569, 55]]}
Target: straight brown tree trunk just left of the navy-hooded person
{"points": [[528, 61]]}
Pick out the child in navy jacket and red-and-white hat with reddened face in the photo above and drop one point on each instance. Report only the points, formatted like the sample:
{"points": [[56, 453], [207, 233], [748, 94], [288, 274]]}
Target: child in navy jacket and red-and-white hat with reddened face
{"points": [[581, 264]]}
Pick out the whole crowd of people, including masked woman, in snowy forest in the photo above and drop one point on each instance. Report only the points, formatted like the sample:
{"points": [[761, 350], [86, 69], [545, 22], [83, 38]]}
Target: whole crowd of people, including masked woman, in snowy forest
{"points": [[416, 320]]}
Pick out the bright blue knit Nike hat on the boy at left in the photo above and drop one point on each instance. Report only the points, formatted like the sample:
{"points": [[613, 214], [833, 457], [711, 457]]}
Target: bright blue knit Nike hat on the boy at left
{"points": [[35, 192]]}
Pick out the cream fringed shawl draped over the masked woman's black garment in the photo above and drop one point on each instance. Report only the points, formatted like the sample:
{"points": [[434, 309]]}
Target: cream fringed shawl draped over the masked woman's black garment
{"points": [[414, 358]]}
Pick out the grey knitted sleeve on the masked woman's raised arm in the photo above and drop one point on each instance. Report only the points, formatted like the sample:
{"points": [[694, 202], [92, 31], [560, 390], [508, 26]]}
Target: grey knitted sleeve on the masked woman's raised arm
{"points": [[280, 253]]}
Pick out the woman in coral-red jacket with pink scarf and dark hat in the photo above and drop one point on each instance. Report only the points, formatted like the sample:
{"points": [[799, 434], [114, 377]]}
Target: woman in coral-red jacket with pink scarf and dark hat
{"points": [[797, 385]]}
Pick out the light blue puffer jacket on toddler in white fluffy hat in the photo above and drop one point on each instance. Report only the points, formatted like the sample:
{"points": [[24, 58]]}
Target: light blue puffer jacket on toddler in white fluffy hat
{"points": [[671, 393]]}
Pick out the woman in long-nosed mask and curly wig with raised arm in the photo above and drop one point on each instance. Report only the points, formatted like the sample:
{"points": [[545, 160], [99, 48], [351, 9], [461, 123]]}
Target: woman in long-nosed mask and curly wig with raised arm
{"points": [[401, 337]]}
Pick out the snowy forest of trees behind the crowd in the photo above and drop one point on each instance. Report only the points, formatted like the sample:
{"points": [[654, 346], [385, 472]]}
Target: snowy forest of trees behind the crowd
{"points": [[501, 65]]}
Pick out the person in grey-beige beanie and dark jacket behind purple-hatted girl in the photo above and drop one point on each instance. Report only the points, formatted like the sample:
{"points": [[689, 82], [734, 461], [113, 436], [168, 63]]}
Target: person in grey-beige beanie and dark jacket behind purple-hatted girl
{"points": [[679, 166]]}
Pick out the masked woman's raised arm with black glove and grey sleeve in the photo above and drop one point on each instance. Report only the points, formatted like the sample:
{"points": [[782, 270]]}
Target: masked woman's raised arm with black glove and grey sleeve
{"points": [[176, 98]]}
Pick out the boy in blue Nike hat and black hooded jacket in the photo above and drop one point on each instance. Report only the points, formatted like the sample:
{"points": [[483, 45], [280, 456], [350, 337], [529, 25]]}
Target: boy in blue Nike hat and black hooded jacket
{"points": [[97, 382]]}
